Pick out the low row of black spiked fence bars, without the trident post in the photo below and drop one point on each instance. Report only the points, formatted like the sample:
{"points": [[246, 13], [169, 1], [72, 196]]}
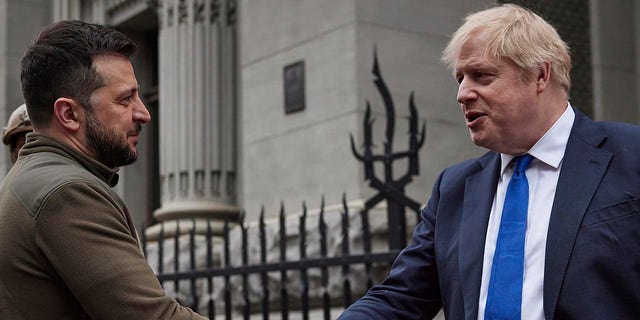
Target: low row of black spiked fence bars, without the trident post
{"points": [[287, 267]]}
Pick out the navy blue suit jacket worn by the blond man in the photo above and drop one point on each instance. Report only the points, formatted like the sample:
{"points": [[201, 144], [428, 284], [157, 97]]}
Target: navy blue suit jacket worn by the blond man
{"points": [[592, 263]]}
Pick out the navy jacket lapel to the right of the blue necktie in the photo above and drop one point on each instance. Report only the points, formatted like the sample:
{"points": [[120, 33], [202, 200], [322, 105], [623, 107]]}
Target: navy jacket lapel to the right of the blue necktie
{"points": [[583, 166]]}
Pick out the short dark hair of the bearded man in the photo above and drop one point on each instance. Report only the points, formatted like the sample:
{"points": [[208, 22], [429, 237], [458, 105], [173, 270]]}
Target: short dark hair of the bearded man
{"points": [[60, 64]]}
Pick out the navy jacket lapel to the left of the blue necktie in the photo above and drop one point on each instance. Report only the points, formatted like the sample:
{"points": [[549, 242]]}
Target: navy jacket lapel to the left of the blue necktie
{"points": [[478, 196]]}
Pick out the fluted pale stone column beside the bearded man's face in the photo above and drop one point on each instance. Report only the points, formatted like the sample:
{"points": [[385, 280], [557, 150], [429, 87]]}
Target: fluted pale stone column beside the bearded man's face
{"points": [[197, 116]]}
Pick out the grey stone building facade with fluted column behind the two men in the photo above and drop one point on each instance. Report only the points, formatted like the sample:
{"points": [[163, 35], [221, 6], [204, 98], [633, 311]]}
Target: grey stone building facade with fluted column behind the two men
{"points": [[212, 74]]}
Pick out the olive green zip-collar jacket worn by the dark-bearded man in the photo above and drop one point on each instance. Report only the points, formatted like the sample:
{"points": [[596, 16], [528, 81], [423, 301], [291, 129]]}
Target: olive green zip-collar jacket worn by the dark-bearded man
{"points": [[68, 246]]}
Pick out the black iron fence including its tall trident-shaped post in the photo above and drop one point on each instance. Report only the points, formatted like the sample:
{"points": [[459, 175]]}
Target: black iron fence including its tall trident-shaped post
{"points": [[228, 275]]}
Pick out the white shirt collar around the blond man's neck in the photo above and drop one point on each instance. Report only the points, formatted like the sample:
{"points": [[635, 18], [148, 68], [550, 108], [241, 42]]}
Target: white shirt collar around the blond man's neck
{"points": [[550, 148]]}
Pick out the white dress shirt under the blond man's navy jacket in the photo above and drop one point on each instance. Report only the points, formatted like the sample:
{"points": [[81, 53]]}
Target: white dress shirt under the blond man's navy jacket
{"points": [[542, 174]]}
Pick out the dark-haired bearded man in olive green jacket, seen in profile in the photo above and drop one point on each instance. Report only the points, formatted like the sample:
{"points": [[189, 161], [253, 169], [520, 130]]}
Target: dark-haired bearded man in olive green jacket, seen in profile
{"points": [[68, 246]]}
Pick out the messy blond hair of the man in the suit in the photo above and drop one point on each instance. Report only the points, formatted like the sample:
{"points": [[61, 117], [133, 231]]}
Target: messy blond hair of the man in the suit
{"points": [[518, 34]]}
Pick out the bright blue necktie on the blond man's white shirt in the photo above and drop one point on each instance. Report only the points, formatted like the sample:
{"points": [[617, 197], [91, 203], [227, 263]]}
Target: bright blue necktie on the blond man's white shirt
{"points": [[505, 287]]}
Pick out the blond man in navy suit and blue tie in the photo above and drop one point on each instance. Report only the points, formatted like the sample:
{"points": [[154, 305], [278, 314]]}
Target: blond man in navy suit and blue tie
{"points": [[546, 225]]}
